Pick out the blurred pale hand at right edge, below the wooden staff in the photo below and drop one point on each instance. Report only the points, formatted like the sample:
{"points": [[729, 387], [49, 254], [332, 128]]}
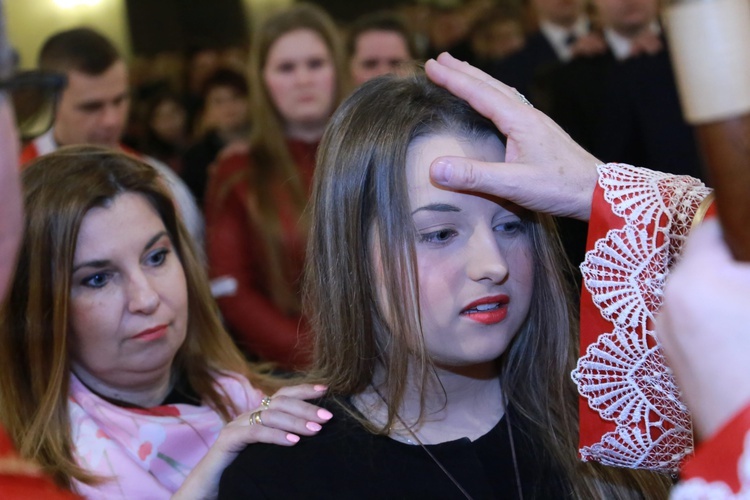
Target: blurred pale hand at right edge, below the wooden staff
{"points": [[704, 329]]}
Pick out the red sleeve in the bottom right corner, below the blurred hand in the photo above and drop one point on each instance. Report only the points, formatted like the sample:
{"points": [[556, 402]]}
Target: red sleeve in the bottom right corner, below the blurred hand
{"points": [[717, 459]]}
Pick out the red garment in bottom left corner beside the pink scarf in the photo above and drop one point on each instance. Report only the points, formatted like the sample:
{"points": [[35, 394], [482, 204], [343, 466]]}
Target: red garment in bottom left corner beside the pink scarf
{"points": [[21, 480]]}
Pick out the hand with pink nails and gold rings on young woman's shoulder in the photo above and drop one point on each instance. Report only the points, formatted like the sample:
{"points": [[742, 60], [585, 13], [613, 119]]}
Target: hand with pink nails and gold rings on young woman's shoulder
{"points": [[287, 418]]}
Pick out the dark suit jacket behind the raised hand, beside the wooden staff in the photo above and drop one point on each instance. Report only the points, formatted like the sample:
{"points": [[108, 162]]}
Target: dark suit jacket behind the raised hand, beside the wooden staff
{"points": [[625, 111]]}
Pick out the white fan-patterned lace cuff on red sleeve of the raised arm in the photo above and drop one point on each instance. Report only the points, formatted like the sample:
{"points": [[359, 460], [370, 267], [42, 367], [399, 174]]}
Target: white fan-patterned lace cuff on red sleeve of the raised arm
{"points": [[623, 375]]}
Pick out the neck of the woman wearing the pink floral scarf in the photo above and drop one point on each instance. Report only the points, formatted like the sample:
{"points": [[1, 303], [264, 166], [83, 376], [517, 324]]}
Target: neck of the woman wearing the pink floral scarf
{"points": [[141, 395]]}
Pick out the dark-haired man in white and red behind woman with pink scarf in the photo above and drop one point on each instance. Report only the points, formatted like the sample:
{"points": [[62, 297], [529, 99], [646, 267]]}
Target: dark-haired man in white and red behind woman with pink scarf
{"points": [[93, 108]]}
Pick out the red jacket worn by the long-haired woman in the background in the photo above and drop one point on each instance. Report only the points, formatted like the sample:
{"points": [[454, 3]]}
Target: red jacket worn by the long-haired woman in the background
{"points": [[235, 249]]}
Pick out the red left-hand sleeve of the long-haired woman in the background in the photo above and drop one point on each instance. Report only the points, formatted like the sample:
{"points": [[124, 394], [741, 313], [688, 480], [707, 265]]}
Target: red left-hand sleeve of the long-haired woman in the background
{"points": [[234, 250]]}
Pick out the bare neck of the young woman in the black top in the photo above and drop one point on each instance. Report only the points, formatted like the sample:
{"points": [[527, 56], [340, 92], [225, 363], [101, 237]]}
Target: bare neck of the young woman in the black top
{"points": [[457, 404]]}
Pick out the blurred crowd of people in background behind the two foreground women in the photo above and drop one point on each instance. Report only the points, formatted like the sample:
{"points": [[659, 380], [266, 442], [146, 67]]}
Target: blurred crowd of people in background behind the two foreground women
{"points": [[231, 103]]}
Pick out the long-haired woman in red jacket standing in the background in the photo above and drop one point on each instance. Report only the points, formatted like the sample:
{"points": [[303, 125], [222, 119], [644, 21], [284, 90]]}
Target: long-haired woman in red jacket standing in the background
{"points": [[255, 200]]}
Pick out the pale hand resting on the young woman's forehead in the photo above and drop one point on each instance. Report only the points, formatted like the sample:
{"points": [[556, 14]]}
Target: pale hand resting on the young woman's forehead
{"points": [[544, 169]]}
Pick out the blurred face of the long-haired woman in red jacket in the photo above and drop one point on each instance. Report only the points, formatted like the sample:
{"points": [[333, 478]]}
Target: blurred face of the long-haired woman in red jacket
{"points": [[300, 78]]}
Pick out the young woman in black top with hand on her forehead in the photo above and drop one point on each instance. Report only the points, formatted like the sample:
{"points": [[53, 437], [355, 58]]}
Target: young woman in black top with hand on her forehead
{"points": [[441, 323]]}
